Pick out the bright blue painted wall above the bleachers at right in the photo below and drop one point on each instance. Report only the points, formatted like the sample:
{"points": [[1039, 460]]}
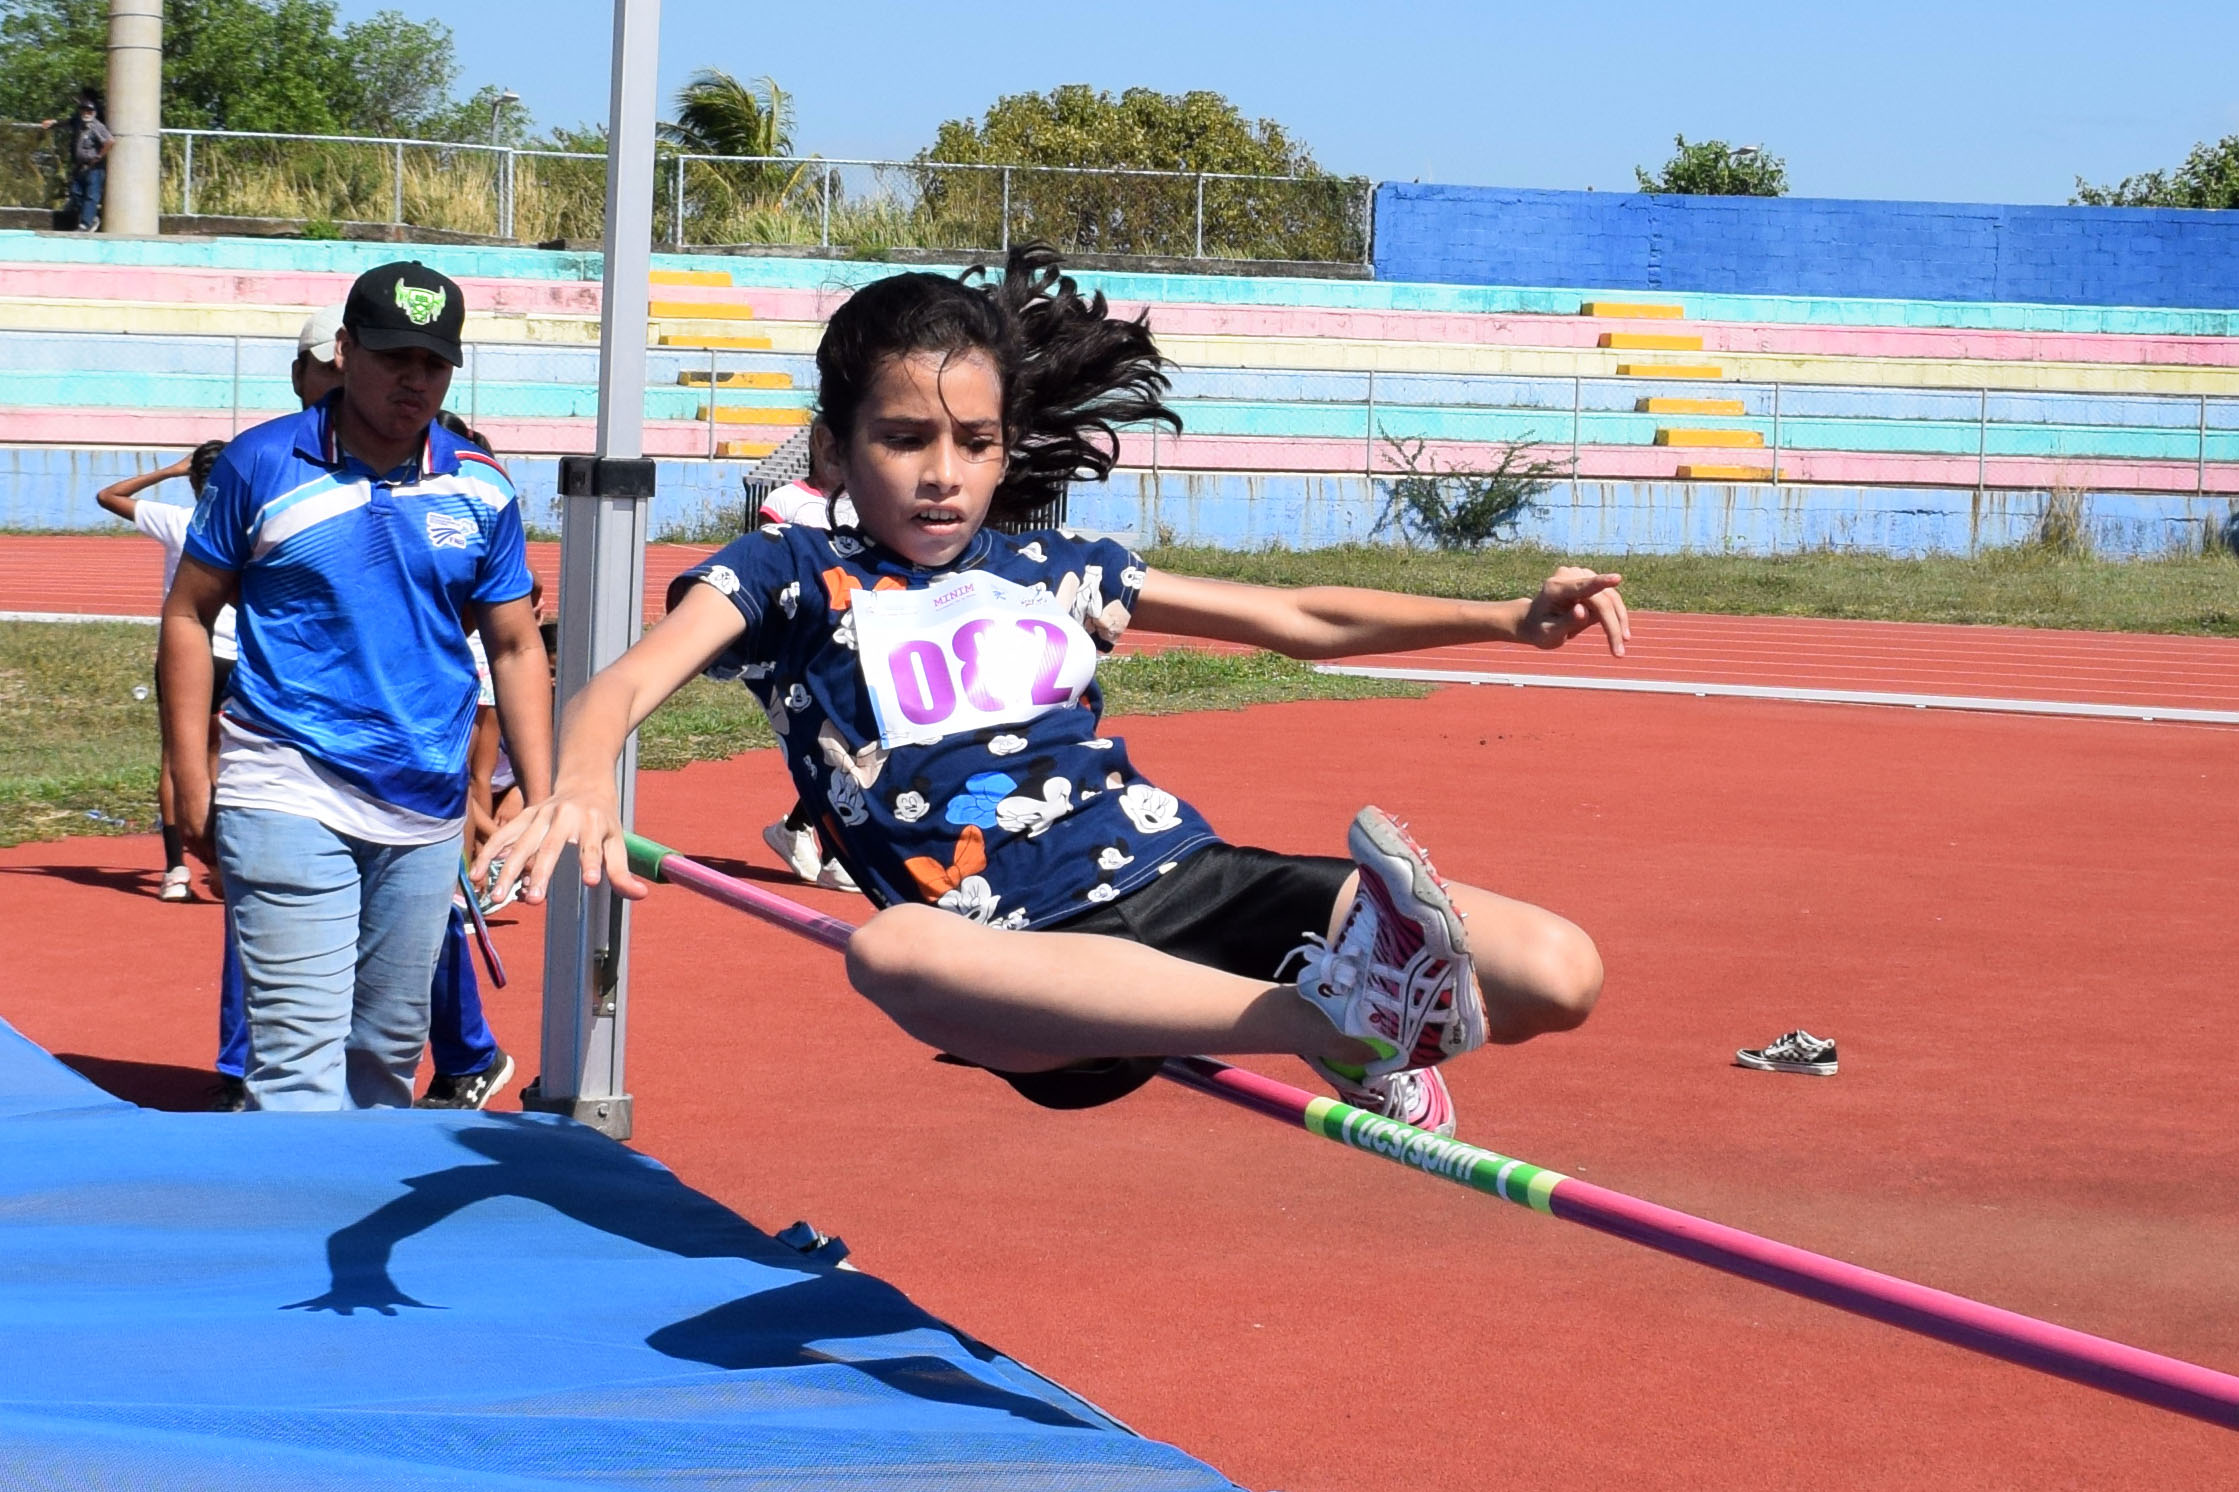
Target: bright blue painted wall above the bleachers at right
{"points": [[1810, 248]]}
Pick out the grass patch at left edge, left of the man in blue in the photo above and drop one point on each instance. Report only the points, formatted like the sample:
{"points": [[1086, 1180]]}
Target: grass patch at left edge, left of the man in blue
{"points": [[77, 752]]}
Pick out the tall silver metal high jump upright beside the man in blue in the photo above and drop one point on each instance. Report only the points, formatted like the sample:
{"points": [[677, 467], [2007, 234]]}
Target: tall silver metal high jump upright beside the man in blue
{"points": [[601, 602]]}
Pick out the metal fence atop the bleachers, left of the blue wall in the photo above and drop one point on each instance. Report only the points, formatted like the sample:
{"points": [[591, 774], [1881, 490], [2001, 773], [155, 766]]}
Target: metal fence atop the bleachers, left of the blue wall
{"points": [[722, 201]]}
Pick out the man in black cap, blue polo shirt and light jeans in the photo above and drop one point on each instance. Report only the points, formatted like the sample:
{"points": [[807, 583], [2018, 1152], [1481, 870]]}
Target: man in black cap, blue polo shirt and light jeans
{"points": [[353, 539]]}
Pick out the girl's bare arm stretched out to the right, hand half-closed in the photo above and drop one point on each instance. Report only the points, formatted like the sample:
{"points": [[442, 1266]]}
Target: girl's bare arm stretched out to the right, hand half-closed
{"points": [[1333, 622]]}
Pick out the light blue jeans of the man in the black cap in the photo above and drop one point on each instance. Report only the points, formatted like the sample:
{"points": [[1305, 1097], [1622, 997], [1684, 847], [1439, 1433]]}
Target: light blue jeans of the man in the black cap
{"points": [[339, 944]]}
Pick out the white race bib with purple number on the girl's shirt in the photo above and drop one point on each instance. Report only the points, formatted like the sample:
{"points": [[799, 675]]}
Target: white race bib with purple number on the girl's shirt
{"points": [[968, 653]]}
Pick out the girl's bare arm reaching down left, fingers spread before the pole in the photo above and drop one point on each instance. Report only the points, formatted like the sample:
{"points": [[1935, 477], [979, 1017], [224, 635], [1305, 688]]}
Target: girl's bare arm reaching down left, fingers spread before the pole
{"points": [[592, 731]]}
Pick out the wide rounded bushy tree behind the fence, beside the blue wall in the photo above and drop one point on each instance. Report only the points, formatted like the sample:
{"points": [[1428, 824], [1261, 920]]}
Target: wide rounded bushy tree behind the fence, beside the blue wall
{"points": [[1141, 131]]}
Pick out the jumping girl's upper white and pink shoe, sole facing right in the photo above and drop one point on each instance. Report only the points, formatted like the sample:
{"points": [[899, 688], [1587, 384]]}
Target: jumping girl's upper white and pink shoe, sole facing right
{"points": [[1398, 976]]}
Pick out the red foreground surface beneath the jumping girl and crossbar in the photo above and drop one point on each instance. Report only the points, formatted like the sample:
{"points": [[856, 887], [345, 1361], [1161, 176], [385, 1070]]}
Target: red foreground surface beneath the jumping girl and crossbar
{"points": [[2018, 931]]}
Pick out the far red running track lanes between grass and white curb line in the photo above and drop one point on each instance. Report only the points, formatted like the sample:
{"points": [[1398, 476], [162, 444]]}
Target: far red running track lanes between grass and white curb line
{"points": [[120, 577]]}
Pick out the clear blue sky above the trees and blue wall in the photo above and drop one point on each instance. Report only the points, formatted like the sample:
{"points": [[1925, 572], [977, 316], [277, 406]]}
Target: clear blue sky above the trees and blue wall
{"points": [[1958, 102]]}
